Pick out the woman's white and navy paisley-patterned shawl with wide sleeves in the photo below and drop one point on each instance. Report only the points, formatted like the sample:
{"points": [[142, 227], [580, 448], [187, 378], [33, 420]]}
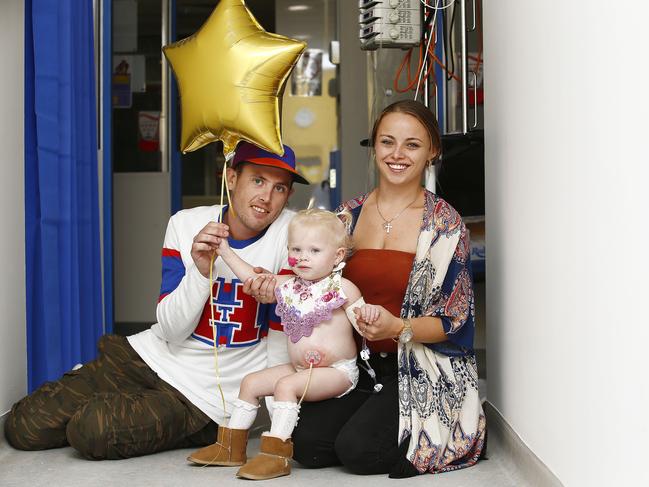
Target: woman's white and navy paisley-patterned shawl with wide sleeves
{"points": [[440, 413]]}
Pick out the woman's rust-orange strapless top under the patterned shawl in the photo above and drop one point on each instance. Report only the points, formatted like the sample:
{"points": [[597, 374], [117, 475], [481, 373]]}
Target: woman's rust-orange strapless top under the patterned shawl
{"points": [[382, 277]]}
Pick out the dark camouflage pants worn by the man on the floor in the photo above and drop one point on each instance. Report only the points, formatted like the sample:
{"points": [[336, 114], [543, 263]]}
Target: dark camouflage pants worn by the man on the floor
{"points": [[113, 407]]}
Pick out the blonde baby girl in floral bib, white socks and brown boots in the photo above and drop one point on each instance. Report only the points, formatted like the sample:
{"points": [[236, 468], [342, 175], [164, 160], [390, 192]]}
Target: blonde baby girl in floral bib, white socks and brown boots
{"points": [[315, 306]]}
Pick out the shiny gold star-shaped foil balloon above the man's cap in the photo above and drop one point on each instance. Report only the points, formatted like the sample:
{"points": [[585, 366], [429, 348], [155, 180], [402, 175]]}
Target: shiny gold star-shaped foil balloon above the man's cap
{"points": [[230, 75]]}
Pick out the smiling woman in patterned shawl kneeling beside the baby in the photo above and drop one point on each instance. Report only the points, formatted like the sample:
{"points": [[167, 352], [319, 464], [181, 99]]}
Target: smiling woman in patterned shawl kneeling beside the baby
{"points": [[422, 413]]}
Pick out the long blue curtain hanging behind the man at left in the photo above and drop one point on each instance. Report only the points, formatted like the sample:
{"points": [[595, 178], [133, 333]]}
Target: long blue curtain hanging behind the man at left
{"points": [[64, 307]]}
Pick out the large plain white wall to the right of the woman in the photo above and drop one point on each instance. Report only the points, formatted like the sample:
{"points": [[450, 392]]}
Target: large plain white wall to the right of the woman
{"points": [[567, 175]]}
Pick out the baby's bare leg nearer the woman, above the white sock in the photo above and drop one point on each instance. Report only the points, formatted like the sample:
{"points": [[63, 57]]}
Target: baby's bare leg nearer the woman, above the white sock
{"points": [[326, 383]]}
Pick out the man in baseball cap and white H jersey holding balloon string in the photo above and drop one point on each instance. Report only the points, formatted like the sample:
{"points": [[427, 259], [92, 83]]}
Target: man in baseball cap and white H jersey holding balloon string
{"points": [[167, 386]]}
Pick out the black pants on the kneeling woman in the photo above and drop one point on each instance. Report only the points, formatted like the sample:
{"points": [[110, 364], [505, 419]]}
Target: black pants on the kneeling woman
{"points": [[358, 430]]}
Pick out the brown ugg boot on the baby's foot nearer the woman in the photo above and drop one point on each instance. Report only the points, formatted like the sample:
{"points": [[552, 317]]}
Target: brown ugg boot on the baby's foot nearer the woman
{"points": [[272, 461]]}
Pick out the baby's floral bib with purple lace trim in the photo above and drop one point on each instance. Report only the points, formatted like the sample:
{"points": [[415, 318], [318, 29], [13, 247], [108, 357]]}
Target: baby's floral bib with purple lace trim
{"points": [[302, 304]]}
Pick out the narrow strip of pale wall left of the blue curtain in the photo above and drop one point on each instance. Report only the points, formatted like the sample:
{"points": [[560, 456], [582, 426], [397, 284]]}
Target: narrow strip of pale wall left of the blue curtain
{"points": [[13, 361]]}
